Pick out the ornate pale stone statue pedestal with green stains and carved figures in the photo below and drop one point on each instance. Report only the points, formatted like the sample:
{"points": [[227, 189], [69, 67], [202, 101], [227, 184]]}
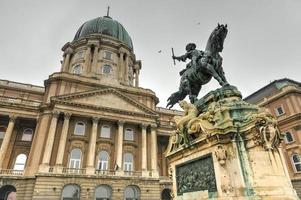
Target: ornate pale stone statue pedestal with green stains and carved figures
{"points": [[229, 149]]}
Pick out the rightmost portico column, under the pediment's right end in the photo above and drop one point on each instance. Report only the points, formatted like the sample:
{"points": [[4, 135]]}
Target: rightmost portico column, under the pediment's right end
{"points": [[154, 151]]}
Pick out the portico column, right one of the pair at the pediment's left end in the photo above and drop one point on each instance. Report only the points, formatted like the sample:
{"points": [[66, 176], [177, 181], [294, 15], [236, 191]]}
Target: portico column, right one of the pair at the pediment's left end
{"points": [[62, 144]]}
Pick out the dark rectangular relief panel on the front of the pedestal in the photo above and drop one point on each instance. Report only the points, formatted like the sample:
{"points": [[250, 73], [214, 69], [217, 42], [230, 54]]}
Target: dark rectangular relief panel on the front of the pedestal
{"points": [[197, 175]]}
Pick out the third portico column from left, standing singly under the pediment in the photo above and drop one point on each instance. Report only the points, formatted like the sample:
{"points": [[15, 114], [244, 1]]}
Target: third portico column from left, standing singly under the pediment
{"points": [[92, 146]]}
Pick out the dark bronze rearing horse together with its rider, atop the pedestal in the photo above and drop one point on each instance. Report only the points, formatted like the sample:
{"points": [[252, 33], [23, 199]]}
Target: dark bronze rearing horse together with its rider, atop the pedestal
{"points": [[203, 66]]}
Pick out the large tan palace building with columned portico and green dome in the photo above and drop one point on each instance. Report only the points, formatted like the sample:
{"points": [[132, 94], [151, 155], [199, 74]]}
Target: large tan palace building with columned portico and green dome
{"points": [[91, 132]]}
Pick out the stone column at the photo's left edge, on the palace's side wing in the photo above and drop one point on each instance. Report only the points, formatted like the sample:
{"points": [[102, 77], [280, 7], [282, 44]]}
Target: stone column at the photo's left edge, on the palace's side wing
{"points": [[6, 139]]}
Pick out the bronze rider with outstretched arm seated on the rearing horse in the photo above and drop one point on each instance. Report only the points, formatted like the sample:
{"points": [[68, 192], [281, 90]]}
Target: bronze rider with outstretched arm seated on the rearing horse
{"points": [[192, 53]]}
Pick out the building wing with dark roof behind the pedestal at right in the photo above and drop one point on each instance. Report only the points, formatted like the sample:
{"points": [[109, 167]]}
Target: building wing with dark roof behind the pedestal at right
{"points": [[283, 99]]}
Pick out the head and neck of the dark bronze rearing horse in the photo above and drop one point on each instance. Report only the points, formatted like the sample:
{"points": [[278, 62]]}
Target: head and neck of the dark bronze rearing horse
{"points": [[216, 40]]}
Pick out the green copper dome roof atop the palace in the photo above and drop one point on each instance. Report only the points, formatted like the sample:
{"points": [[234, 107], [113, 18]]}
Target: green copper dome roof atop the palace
{"points": [[107, 26]]}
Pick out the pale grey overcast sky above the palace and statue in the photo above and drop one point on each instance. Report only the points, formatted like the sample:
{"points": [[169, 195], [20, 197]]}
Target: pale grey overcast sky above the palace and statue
{"points": [[263, 41]]}
